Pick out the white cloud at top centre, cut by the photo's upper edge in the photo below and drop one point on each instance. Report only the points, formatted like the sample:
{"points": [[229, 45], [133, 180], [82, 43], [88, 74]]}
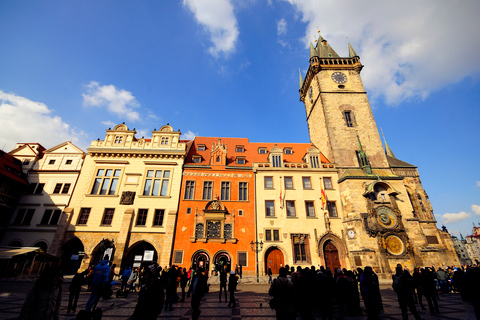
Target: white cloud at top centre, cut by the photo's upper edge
{"points": [[219, 20]]}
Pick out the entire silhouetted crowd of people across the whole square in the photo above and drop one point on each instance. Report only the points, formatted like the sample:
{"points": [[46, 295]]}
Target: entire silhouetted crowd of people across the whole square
{"points": [[296, 291]]}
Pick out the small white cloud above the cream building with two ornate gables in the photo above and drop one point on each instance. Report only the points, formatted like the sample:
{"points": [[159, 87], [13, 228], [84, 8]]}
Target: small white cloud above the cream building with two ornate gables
{"points": [[119, 102]]}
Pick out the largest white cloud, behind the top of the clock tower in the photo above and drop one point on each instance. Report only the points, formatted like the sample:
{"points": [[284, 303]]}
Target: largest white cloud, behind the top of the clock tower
{"points": [[409, 48]]}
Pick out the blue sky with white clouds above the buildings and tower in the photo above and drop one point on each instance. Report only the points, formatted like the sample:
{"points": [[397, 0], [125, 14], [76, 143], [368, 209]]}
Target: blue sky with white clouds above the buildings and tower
{"points": [[72, 69]]}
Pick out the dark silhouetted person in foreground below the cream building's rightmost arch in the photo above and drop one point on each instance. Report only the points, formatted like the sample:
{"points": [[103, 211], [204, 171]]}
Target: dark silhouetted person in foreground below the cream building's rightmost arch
{"points": [[151, 296]]}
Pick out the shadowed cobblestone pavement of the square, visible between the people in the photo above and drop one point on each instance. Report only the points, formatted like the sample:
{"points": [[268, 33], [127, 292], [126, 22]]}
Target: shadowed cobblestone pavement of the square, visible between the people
{"points": [[252, 303]]}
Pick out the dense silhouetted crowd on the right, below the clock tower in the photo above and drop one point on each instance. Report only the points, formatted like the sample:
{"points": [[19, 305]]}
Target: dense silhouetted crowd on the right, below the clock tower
{"points": [[304, 291]]}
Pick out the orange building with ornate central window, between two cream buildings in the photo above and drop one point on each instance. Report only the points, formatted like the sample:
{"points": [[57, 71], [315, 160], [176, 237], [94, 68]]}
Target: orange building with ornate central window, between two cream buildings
{"points": [[216, 217]]}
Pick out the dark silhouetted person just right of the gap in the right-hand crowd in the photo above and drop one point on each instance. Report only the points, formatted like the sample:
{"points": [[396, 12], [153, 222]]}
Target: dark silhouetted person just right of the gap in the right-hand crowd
{"points": [[402, 284]]}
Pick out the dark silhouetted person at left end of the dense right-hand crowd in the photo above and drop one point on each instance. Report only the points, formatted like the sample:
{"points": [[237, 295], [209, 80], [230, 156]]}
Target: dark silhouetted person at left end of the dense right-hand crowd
{"points": [[282, 292]]}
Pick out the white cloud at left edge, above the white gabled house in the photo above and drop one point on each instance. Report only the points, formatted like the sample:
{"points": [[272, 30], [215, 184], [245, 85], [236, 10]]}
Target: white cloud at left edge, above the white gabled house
{"points": [[24, 120]]}
